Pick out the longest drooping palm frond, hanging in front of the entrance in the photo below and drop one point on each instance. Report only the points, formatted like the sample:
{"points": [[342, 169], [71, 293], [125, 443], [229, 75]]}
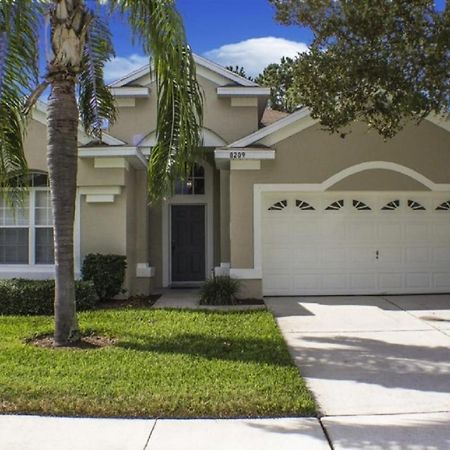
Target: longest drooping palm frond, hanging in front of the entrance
{"points": [[159, 27]]}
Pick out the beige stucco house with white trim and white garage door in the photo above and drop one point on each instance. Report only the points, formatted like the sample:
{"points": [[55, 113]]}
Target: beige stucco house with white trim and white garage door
{"points": [[287, 208]]}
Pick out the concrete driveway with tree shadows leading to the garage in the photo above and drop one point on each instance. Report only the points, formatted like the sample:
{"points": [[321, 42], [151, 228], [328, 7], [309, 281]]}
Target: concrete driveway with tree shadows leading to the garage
{"points": [[377, 365]]}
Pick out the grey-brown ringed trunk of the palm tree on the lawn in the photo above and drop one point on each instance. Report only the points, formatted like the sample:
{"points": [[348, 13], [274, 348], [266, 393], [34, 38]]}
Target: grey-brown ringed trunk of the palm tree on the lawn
{"points": [[62, 163]]}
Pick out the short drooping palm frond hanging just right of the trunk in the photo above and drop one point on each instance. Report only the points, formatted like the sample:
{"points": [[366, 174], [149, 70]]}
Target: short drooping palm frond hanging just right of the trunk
{"points": [[96, 102]]}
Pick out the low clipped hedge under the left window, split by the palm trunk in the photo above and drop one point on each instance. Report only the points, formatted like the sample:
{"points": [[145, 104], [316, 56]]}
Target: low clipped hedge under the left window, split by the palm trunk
{"points": [[36, 297]]}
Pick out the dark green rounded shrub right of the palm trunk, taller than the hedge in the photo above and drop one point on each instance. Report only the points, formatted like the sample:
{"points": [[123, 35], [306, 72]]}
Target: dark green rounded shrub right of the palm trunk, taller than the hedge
{"points": [[107, 272]]}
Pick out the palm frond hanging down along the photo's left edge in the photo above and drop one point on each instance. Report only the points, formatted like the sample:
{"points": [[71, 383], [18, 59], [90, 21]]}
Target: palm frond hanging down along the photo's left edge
{"points": [[19, 22]]}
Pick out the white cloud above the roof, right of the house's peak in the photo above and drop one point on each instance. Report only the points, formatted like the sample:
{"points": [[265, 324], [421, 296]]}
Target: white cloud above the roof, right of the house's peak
{"points": [[255, 54]]}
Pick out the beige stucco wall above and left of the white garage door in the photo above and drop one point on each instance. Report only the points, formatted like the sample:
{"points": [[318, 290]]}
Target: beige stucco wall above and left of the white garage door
{"points": [[313, 156]]}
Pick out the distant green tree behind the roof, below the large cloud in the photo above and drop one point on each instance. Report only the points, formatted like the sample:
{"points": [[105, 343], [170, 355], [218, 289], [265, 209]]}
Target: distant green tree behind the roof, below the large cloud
{"points": [[279, 77]]}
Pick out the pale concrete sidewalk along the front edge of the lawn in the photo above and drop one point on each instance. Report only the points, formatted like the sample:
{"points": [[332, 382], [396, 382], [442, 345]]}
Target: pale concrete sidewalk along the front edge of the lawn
{"points": [[50, 433]]}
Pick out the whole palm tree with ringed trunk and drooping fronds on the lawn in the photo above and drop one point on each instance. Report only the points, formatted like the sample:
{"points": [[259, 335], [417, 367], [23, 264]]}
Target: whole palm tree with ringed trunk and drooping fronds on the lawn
{"points": [[80, 44]]}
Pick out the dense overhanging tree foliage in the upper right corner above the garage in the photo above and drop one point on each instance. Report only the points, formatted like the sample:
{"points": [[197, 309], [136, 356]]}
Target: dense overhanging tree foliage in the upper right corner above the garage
{"points": [[381, 62]]}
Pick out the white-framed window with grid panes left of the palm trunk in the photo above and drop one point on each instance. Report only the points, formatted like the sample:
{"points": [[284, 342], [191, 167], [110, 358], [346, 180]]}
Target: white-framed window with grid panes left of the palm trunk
{"points": [[26, 227]]}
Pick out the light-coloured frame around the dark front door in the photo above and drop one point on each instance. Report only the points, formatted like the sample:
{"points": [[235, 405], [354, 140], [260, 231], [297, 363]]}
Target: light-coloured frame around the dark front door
{"points": [[208, 201]]}
